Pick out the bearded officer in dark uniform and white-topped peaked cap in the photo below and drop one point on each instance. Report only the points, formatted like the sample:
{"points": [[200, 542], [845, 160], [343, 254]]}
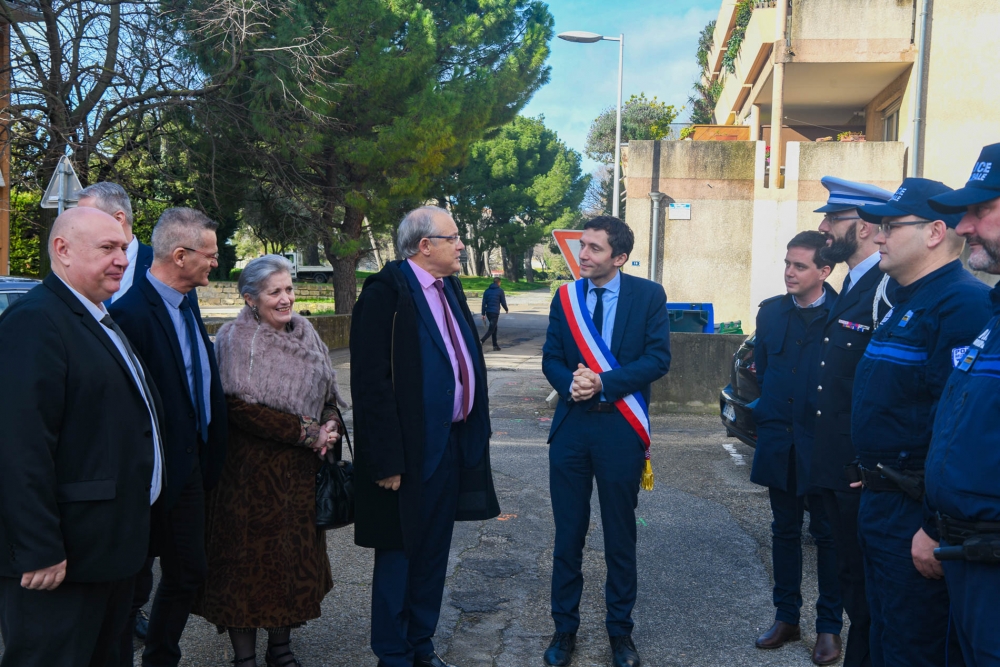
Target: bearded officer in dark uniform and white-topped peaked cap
{"points": [[847, 330]]}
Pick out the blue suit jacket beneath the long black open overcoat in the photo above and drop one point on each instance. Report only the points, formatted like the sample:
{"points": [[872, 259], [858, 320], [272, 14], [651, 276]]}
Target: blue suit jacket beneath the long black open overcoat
{"points": [[439, 382]]}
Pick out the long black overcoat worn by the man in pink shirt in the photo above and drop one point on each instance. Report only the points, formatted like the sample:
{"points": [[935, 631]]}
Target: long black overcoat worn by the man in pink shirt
{"points": [[386, 389]]}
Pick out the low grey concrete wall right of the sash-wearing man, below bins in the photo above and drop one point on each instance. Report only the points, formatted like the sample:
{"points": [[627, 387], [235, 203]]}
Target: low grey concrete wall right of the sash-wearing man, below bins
{"points": [[699, 369]]}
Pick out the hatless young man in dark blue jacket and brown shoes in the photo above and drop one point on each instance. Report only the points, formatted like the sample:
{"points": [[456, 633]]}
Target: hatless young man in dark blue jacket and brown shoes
{"points": [[789, 329]]}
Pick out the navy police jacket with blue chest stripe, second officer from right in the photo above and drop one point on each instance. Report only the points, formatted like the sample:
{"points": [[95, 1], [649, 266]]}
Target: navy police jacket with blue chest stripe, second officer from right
{"points": [[907, 363]]}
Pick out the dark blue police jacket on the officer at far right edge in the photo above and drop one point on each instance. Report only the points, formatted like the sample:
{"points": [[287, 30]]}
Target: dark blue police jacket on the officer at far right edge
{"points": [[963, 464]]}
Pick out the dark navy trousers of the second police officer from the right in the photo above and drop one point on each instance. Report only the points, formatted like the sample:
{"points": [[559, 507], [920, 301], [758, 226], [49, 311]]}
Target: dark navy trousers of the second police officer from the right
{"points": [[909, 613]]}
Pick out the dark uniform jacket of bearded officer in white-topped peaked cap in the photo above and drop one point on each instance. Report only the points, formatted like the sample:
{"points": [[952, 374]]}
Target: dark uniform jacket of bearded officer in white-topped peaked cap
{"points": [[849, 327]]}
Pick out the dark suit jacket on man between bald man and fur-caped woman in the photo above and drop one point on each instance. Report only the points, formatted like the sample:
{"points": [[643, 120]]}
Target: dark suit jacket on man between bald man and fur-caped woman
{"points": [[143, 316]]}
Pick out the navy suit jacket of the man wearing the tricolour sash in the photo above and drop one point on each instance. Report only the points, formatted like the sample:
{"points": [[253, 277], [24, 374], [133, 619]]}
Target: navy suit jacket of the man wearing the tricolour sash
{"points": [[640, 342]]}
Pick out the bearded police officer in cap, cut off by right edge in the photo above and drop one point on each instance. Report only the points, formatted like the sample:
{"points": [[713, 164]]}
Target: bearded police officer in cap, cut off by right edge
{"points": [[963, 464]]}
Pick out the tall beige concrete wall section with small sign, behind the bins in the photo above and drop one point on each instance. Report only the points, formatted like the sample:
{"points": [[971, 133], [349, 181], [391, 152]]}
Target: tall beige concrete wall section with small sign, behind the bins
{"points": [[702, 259]]}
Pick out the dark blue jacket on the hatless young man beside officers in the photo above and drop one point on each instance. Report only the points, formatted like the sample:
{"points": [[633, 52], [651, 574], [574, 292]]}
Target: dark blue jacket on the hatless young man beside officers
{"points": [[786, 355]]}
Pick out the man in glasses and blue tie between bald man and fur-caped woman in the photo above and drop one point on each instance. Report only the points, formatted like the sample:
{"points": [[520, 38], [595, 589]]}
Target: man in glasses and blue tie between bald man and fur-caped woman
{"points": [[165, 327]]}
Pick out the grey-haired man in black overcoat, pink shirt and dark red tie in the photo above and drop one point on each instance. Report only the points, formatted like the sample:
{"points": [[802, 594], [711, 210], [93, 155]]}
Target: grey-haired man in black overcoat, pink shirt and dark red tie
{"points": [[422, 425]]}
